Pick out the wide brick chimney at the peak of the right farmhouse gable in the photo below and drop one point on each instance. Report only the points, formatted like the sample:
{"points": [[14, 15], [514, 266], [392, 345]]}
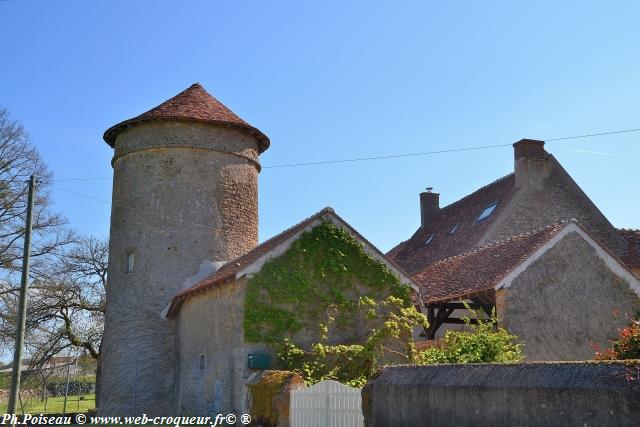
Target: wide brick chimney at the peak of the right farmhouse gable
{"points": [[531, 165]]}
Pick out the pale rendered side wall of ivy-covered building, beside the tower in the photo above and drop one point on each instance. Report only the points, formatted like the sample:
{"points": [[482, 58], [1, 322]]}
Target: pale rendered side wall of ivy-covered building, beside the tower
{"points": [[211, 325]]}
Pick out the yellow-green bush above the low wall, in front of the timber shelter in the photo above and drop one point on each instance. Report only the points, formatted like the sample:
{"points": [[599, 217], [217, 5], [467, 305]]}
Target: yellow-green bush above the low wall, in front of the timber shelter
{"points": [[480, 343]]}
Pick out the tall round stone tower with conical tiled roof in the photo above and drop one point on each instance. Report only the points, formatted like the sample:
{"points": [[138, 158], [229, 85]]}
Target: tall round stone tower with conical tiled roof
{"points": [[185, 200]]}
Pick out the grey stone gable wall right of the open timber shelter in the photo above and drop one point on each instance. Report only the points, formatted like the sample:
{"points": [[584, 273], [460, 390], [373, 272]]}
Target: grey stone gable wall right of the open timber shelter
{"points": [[565, 301]]}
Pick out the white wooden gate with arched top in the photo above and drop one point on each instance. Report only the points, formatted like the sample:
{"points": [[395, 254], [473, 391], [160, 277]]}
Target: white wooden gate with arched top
{"points": [[326, 404]]}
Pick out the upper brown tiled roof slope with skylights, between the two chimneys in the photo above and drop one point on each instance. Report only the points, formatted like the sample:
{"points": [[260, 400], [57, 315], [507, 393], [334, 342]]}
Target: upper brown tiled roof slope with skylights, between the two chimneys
{"points": [[413, 254]]}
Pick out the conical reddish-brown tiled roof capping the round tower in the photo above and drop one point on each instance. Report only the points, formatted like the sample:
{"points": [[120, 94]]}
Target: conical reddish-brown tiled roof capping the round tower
{"points": [[192, 104]]}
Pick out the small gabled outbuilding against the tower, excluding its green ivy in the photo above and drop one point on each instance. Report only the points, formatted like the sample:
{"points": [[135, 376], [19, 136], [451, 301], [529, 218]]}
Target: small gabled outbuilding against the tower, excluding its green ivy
{"points": [[214, 365]]}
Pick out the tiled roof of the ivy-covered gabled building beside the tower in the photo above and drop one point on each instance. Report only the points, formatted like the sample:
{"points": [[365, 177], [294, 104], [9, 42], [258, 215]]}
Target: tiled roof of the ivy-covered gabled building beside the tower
{"points": [[228, 271]]}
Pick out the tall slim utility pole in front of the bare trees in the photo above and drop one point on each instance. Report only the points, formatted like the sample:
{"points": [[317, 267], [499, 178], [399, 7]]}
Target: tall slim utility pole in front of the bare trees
{"points": [[22, 305]]}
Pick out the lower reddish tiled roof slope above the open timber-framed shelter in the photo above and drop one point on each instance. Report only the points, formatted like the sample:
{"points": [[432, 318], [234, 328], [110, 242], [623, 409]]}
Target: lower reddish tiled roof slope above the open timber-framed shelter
{"points": [[481, 269]]}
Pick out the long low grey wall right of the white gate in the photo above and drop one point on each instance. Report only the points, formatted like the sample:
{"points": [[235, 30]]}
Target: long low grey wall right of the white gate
{"points": [[523, 394]]}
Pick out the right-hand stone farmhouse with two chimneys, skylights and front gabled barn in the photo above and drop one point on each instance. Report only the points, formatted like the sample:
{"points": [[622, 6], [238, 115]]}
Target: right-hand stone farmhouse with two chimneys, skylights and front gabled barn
{"points": [[532, 246]]}
